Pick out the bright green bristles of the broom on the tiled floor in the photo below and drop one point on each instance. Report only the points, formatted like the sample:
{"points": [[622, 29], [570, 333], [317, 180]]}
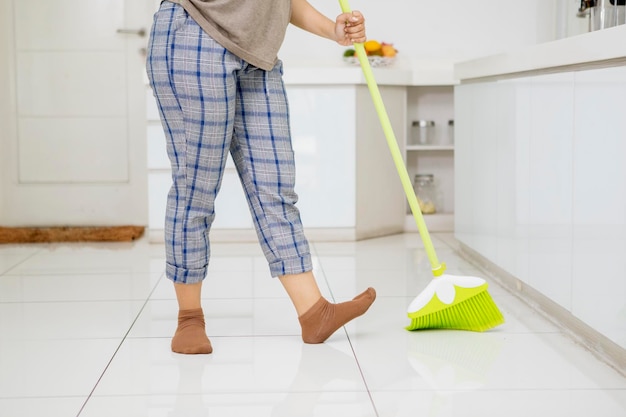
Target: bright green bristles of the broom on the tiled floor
{"points": [[477, 313]]}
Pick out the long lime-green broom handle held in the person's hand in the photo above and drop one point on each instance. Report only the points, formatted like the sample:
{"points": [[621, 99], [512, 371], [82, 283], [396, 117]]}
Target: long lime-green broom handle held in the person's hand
{"points": [[437, 267]]}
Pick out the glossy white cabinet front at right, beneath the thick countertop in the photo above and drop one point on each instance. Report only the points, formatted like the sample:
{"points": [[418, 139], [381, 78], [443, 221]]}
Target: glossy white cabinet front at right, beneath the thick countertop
{"points": [[541, 186]]}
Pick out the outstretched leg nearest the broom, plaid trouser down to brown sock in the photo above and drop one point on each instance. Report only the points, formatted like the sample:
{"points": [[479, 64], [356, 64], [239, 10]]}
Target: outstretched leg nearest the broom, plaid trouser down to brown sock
{"points": [[264, 157]]}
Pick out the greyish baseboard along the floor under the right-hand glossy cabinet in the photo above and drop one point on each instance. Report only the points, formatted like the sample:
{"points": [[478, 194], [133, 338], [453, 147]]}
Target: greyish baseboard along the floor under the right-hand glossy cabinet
{"points": [[601, 346]]}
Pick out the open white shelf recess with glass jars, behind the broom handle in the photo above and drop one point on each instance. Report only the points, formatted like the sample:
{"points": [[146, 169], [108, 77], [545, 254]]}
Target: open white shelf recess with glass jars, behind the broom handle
{"points": [[432, 103]]}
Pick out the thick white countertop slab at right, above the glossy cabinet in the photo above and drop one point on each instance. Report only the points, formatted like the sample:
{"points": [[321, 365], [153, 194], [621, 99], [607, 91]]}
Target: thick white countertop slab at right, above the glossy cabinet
{"points": [[588, 48]]}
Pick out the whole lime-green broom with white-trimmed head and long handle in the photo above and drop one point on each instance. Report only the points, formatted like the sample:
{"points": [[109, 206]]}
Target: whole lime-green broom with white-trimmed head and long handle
{"points": [[448, 302]]}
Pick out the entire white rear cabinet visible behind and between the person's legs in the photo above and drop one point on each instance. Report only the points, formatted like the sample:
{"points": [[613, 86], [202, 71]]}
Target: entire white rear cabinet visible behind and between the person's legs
{"points": [[345, 179]]}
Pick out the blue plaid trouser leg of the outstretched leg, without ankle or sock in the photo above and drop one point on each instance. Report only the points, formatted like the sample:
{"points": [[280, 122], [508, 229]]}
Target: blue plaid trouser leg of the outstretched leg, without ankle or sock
{"points": [[262, 152]]}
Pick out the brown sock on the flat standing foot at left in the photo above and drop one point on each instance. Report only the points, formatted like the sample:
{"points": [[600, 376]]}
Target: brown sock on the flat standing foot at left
{"points": [[190, 337]]}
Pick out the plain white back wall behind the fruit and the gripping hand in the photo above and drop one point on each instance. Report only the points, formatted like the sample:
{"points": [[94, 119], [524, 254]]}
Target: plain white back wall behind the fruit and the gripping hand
{"points": [[451, 30]]}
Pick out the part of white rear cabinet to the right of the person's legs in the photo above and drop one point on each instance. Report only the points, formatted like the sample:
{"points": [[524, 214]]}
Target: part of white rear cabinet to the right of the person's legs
{"points": [[346, 179]]}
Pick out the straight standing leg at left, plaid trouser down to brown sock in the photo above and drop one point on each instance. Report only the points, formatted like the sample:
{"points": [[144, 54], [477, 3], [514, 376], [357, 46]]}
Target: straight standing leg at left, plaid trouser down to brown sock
{"points": [[191, 76]]}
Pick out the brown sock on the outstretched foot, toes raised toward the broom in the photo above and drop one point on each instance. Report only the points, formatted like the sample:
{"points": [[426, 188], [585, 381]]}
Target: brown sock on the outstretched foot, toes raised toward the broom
{"points": [[324, 318]]}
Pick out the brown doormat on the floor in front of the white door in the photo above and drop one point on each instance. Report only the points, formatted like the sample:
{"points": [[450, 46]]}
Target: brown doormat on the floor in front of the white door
{"points": [[69, 234]]}
